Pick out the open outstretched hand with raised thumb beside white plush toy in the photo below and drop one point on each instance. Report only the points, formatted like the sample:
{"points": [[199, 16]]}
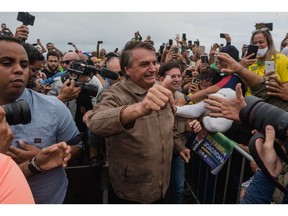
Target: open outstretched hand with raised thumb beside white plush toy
{"points": [[226, 107]]}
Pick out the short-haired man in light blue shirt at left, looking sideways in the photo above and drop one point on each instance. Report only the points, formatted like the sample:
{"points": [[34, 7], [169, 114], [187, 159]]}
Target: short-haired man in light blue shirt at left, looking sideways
{"points": [[51, 123]]}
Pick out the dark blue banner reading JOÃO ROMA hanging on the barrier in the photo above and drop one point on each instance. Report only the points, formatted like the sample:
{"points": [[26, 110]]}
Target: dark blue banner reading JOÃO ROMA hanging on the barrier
{"points": [[213, 148]]}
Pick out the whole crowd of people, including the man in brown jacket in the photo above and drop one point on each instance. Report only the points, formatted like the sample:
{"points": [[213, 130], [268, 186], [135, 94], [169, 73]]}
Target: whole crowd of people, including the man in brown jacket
{"points": [[132, 110]]}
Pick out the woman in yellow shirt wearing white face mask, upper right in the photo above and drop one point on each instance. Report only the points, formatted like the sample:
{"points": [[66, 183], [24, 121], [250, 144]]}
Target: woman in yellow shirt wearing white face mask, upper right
{"points": [[267, 52]]}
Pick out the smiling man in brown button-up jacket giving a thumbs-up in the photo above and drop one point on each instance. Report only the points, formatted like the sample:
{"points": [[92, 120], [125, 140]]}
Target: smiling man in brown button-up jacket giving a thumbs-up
{"points": [[137, 120]]}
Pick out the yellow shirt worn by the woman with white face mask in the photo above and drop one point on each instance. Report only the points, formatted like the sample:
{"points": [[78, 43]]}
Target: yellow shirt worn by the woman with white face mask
{"points": [[281, 69]]}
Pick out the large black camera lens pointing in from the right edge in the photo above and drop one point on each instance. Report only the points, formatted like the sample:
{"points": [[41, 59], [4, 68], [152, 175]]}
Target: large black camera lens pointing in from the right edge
{"points": [[258, 114]]}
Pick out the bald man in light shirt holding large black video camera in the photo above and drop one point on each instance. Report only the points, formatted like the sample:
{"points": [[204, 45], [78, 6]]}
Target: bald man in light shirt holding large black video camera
{"points": [[78, 88]]}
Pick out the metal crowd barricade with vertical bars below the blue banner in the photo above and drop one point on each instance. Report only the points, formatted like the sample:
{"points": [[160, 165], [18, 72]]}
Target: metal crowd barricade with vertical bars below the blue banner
{"points": [[223, 188]]}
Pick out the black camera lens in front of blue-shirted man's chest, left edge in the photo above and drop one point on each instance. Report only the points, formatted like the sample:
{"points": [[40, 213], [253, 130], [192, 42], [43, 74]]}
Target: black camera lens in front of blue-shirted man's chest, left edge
{"points": [[17, 112]]}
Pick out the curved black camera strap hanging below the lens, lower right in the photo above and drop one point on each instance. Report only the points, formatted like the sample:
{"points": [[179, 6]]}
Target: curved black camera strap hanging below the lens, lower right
{"points": [[261, 165]]}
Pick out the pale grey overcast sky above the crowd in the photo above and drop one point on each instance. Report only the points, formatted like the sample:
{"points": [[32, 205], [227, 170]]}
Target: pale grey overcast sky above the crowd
{"points": [[116, 28]]}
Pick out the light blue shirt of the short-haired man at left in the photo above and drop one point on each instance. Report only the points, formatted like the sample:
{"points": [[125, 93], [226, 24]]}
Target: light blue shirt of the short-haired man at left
{"points": [[51, 122]]}
